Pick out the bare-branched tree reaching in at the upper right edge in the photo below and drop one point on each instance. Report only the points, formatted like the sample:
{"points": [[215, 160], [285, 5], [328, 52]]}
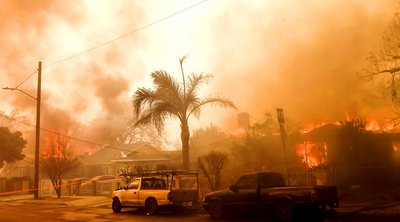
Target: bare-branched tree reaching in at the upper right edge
{"points": [[385, 62]]}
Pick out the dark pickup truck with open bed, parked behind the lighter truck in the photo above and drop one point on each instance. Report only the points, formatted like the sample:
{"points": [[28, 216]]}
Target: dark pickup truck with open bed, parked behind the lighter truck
{"points": [[266, 191]]}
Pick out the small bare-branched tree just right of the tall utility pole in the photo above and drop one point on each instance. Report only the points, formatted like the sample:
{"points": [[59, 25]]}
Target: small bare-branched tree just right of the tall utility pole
{"points": [[58, 158]]}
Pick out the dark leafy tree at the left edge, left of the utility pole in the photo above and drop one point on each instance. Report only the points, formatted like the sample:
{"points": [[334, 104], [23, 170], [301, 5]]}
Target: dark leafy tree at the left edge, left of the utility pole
{"points": [[11, 145]]}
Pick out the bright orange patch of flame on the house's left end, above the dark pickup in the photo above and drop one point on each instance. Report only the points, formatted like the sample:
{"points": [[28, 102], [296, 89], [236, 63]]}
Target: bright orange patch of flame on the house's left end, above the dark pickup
{"points": [[312, 154]]}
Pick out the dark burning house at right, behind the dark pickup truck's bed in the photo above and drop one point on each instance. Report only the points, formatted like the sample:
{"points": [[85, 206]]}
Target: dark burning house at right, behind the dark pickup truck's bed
{"points": [[351, 154]]}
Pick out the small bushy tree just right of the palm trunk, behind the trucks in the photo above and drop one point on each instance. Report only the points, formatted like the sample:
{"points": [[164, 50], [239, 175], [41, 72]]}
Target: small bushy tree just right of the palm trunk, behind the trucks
{"points": [[211, 165]]}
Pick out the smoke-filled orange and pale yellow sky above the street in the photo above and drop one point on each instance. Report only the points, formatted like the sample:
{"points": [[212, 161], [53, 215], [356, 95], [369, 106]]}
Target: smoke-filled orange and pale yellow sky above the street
{"points": [[302, 56]]}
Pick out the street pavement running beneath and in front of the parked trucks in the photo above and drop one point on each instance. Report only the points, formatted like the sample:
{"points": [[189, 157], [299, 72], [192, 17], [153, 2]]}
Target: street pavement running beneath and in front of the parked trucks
{"points": [[49, 210]]}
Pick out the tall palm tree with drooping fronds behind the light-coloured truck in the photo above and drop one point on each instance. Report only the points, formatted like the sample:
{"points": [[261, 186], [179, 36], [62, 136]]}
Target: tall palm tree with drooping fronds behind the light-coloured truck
{"points": [[172, 99]]}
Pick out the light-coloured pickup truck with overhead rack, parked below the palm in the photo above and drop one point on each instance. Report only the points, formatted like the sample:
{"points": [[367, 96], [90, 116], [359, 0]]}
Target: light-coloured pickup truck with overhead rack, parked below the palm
{"points": [[151, 191]]}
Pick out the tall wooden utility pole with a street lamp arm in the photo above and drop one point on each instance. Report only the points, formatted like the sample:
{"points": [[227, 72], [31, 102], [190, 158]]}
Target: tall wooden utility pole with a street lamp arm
{"points": [[37, 98]]}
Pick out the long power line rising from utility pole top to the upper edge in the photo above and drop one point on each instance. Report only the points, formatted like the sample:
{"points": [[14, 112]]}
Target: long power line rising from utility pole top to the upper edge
{"points": [[125, 35]]}
